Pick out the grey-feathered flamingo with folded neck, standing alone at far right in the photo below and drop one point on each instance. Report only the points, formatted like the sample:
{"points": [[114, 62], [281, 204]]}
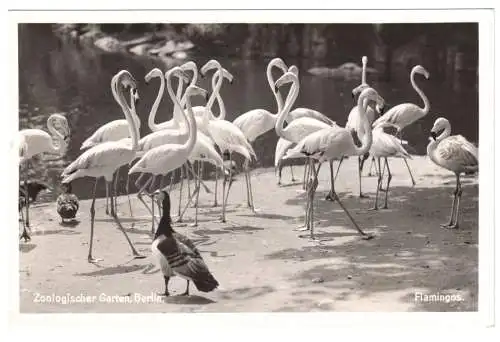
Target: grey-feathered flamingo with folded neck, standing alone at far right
{"points": [[454, 153]]}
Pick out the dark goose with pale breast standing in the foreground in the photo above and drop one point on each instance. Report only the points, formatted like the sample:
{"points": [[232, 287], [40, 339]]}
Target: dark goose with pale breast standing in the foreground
{"points": [[178, 255]]}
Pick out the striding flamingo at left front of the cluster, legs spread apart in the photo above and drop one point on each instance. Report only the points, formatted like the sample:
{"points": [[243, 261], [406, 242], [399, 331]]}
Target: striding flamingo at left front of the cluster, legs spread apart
{"points": [[104, 159]]}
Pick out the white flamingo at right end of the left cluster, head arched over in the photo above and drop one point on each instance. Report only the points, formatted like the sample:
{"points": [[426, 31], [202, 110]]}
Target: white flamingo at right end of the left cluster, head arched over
{"points": [[228, 137]]}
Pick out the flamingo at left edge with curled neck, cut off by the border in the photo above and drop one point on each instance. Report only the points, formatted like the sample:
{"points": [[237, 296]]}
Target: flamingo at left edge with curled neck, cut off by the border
{"points": [[33, 142]]}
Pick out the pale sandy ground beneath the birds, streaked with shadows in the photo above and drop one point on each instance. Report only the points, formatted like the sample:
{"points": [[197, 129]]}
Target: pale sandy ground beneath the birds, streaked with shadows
{"points": [[259, 260]]}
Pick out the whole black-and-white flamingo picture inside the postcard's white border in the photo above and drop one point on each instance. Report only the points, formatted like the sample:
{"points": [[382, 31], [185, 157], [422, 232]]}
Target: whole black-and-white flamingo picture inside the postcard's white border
{"points": [[238, 166]]}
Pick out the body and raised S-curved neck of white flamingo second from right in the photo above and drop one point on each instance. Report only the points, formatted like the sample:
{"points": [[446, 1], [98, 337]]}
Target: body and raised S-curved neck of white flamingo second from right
{"points": [[405, 114]]}
